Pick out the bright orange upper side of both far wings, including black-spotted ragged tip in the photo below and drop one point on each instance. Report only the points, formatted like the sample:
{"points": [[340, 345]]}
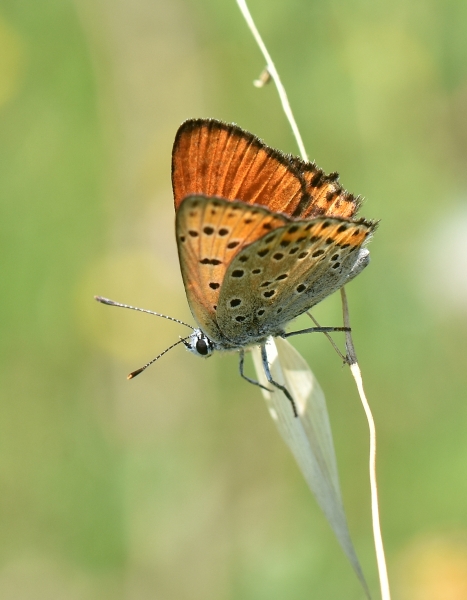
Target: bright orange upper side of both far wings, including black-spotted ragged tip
{"points": [[218, 159]]}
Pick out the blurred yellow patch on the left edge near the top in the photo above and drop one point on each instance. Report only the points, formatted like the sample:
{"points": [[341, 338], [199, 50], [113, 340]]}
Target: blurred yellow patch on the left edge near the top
{"points": [[11, 62]]}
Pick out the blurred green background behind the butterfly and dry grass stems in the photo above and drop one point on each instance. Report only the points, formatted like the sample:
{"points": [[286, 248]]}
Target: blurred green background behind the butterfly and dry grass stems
{"points": [[176, 485]]}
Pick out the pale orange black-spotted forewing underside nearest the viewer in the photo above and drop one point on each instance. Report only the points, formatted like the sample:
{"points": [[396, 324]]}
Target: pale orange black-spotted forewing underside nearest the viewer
{"points": [[210, 232]]}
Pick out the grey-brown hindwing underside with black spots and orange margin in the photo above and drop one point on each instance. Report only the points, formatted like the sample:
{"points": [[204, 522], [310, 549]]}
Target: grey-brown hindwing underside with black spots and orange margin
{"points": [[280, 276]]}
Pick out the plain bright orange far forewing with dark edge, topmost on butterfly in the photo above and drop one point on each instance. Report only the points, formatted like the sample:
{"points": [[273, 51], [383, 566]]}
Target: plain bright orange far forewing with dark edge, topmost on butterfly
{"points": [[216, 159]]}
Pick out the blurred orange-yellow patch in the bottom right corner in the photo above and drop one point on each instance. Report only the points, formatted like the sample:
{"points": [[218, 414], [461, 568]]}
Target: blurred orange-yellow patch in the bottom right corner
{"points": [[434, 569]]}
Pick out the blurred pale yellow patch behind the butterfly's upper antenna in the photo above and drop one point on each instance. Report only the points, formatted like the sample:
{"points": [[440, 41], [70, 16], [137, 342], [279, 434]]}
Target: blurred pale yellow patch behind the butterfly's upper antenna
{"points": [[139, 279]]}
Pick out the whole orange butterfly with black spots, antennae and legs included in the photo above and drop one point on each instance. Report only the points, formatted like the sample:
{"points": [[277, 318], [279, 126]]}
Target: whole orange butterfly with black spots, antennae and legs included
{"points": [[262, 237]]}
